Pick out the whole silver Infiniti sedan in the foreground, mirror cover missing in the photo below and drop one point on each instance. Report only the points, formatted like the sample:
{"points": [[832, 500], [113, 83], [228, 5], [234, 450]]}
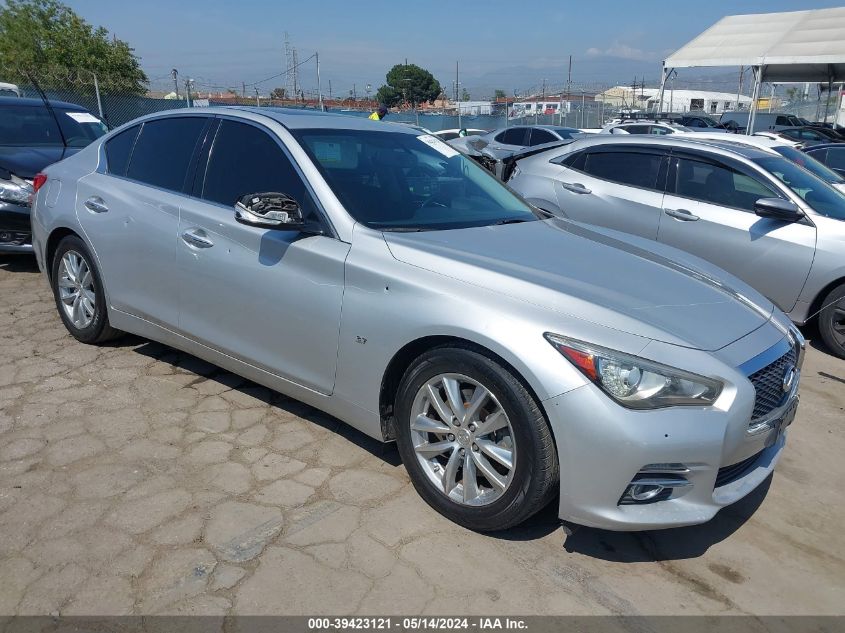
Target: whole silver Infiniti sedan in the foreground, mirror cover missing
{"points": [[381, 276]]}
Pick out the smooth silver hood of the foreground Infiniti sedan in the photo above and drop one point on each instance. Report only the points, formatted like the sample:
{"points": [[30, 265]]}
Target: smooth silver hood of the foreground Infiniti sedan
{"points": [[631, 285]]}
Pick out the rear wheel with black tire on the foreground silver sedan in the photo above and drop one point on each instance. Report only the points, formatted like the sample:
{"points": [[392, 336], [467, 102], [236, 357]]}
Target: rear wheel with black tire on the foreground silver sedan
{"points": [[78, 291]]}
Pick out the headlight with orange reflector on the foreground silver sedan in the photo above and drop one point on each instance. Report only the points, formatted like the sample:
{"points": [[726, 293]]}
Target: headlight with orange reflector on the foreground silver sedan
{"points": [[635, 382]]}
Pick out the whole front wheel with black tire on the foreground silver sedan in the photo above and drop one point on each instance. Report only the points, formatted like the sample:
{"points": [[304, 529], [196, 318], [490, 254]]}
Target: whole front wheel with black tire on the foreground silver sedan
{"points": [[473, 440]]}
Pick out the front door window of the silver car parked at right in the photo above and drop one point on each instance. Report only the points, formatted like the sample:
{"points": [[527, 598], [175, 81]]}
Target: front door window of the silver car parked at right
{"points": [[718, 184]]}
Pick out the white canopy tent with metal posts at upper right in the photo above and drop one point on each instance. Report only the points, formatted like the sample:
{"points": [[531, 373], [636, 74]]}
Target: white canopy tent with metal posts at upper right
{"points": [[796, 46]]}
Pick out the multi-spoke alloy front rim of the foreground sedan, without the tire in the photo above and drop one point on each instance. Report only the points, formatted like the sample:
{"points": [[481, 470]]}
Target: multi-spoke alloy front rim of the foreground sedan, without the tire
{"points": [[463, 439]]}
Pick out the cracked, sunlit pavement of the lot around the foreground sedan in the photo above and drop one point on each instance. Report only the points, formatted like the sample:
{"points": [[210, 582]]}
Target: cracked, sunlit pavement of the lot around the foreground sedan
{"points": [[137, 479]]}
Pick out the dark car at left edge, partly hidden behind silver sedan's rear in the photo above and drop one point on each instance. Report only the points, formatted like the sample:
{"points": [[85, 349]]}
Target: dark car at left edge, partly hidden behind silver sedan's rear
{"points": [[31, 139]]}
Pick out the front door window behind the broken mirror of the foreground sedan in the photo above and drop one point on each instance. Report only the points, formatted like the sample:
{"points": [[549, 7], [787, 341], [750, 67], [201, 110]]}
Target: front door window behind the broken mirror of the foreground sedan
{"points": [[244, 160]]}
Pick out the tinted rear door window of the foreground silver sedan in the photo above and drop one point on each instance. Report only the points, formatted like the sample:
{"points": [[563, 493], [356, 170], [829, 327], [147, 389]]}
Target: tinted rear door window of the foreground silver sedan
{"points": [[163, 151]]}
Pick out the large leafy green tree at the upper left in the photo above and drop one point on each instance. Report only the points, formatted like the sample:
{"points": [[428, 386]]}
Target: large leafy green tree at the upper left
{"points": [[49, 40]]}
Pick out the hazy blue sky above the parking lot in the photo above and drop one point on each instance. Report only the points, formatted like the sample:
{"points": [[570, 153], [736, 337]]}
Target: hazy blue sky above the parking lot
{"points": [[505, 44]]}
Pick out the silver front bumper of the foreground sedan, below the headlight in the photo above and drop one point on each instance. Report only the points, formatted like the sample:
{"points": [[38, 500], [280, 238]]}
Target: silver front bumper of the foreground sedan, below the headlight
{"points": [[603, 447]]}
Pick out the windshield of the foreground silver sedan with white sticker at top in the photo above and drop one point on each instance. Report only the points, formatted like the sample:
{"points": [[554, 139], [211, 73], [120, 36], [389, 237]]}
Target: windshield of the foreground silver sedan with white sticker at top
{"points": [[399, 181]]}
